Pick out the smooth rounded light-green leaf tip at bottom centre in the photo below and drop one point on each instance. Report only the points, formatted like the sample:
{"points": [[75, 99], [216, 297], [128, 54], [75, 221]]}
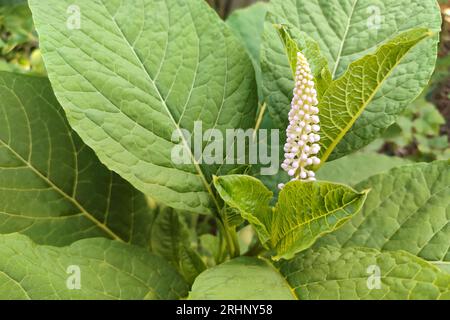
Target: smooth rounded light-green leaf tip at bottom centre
{"points": [[241, 279]]}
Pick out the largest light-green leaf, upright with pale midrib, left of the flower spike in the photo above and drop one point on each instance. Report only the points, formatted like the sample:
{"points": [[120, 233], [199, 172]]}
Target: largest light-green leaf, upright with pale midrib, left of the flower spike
{"points": [[136, 73]]}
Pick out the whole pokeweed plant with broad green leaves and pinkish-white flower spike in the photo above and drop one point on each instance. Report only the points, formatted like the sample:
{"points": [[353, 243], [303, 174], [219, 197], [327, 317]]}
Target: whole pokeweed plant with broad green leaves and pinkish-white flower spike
{"points": [[92, 204]]}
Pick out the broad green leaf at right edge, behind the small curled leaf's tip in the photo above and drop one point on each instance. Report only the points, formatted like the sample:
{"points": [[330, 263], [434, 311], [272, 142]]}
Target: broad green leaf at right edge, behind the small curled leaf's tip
{"points": [[407, 209]]}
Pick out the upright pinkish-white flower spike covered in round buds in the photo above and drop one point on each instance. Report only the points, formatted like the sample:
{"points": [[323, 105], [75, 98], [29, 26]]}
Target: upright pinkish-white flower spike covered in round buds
{"points": [[301, 145]]}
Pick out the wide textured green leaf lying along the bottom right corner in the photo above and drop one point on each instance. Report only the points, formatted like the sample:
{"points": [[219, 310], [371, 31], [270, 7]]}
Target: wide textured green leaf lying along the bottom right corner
{"points": [[347, 274]]}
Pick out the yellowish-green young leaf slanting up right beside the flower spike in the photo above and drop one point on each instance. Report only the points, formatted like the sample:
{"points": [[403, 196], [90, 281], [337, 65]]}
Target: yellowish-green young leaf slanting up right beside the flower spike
{"points": [[346, 98]]}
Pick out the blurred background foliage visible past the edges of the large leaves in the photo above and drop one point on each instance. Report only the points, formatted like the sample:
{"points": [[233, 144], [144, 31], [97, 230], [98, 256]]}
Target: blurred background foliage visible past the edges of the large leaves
{"points": [[421, 133]]}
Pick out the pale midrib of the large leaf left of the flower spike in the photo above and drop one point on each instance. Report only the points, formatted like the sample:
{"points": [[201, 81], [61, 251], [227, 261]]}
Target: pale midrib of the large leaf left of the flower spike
{"points": [[163, 102]]}
